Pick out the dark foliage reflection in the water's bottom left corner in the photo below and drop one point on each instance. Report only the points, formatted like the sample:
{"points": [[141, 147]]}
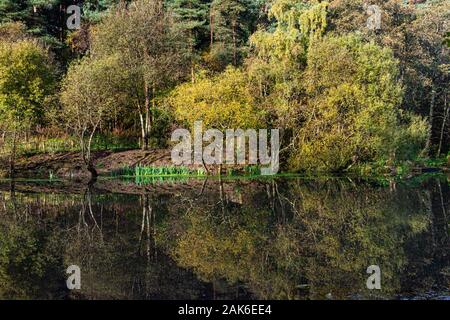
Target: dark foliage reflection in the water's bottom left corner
{"points": [[29, 259]]}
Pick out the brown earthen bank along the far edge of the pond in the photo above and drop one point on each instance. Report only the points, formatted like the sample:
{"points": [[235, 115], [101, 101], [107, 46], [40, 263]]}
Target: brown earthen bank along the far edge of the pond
{"points": [[69, 165]]}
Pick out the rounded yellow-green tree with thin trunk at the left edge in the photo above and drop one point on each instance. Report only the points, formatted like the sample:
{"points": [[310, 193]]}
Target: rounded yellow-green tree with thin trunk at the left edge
{"points": [[27, 79]]}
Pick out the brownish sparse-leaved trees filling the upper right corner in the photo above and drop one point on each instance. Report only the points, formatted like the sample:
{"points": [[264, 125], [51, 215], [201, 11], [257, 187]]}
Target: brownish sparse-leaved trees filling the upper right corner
{"points": [[415, 33]]}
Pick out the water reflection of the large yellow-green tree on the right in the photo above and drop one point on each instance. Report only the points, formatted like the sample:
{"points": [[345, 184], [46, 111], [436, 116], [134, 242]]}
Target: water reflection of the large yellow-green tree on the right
{"points": [[350, 229]]}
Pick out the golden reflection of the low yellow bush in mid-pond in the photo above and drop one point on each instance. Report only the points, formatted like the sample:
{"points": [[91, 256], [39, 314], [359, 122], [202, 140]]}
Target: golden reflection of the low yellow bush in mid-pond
{"points": [[221, 247]]}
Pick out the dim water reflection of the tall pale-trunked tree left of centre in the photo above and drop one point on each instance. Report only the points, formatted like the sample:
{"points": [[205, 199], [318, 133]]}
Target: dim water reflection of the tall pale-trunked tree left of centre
{"points": [[123, 262]]}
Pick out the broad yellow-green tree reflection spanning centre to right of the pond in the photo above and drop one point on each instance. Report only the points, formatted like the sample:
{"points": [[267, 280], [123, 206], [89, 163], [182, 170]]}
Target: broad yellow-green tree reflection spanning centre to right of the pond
{"points": [[335, 231]]}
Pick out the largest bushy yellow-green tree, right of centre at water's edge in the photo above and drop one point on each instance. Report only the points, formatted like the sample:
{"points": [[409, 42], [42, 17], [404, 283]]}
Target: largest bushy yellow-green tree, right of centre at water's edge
{"points": [[335, 112]]}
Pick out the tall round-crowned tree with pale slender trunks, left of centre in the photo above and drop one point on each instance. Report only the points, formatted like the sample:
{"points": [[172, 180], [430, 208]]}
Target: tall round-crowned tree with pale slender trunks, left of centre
{"points": [[153, 54]]}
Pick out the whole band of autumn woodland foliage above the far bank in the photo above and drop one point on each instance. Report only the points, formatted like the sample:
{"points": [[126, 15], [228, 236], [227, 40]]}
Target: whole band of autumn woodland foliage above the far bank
{"points": [[312, 68]]}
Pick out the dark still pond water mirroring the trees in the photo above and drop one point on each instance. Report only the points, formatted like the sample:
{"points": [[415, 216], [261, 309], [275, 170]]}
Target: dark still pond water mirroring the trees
{"points": [[287, 238]]}
